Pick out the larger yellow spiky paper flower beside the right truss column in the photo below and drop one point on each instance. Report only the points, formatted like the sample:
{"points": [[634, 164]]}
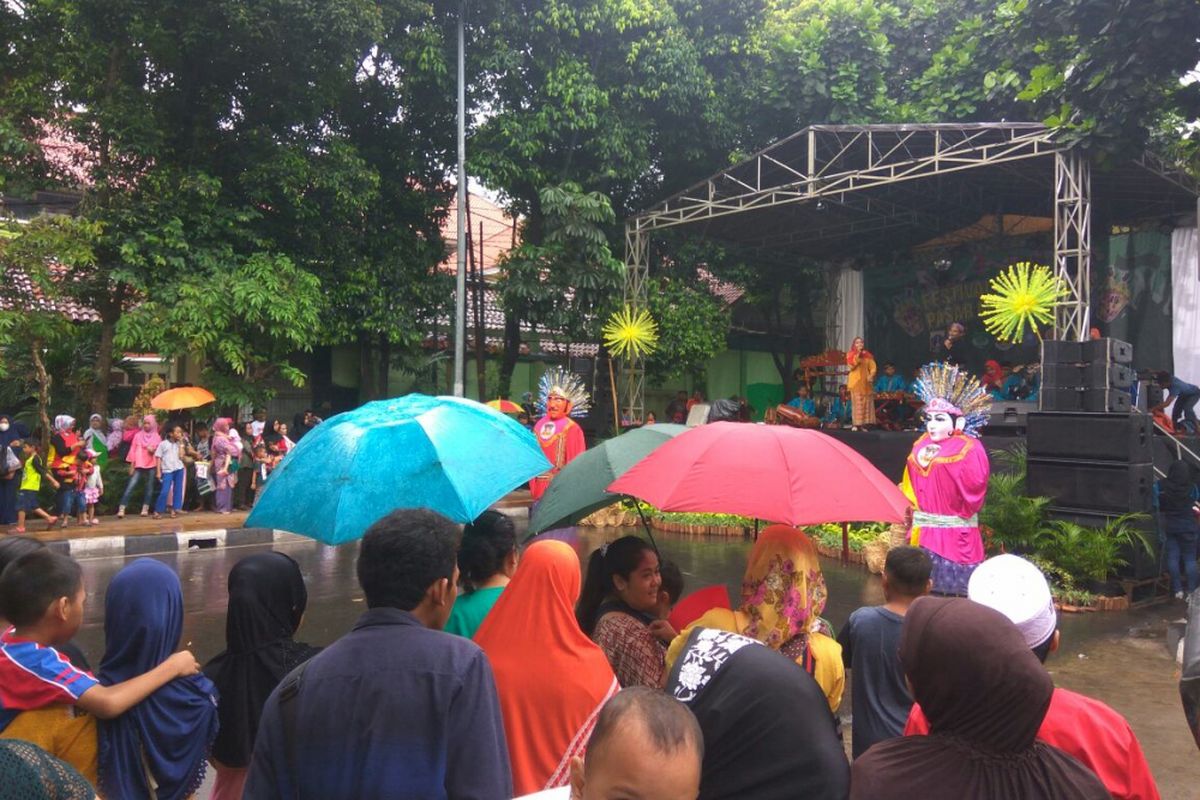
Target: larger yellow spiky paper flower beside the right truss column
{"points": [[1023, 296]]}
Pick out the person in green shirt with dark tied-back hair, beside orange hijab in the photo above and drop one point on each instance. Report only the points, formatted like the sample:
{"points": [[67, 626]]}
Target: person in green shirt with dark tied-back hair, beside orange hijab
{"points": [[488, 558]]}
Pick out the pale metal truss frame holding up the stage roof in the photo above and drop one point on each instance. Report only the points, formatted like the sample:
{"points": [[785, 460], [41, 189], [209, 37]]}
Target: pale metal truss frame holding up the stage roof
{"points": [[847, 165]]}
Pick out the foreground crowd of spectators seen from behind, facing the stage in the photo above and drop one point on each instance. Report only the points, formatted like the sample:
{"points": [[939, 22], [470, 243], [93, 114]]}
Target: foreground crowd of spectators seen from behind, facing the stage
{"points": [[478, 671]]}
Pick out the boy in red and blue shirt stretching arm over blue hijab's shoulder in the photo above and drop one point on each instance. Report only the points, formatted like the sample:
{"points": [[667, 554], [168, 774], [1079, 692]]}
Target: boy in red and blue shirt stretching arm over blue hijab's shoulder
{"points": [[43, 597]]}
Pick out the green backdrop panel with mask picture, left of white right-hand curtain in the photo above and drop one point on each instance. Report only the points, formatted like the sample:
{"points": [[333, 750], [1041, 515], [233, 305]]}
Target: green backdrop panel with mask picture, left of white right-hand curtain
{"points": [[1132, 296]]}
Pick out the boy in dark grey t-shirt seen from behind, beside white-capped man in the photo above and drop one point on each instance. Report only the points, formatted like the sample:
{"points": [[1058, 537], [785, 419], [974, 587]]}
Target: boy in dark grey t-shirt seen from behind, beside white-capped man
{"points": [[871, 646]]}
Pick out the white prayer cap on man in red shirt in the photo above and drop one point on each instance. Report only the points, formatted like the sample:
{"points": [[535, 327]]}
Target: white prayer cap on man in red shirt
{"points": [[1018, 591]]}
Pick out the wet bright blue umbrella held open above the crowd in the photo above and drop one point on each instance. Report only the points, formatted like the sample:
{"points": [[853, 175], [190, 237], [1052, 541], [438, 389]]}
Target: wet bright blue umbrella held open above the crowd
{"points": [[452, 455]]}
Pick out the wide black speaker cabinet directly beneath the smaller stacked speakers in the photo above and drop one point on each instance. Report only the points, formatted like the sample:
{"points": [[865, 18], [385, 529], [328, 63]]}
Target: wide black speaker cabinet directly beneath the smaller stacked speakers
{"points": [[1121, 438]]}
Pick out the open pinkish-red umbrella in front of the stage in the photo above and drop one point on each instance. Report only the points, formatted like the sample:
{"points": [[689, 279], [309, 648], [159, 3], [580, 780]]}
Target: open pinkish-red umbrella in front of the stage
{"points": [[769, 472]]}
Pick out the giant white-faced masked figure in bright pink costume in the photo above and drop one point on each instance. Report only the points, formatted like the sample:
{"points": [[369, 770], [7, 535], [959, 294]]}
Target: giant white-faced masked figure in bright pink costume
{"points": [[946, 477]]}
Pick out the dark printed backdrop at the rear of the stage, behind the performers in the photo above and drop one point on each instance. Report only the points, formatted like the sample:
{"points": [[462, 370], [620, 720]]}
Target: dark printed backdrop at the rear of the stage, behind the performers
{"points": [[913, 302]]}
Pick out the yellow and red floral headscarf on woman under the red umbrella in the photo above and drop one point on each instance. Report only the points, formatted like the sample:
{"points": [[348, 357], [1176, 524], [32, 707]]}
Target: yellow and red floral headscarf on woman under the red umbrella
{"points": [[783, 591]]}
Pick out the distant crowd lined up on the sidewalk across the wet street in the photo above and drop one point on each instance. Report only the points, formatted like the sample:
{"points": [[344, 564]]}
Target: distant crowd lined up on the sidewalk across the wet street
{"points": [[173, 468]]}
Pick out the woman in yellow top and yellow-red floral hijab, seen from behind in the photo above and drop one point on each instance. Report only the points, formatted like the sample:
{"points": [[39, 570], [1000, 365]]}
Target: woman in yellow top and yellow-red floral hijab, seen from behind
{"points": [[783, 597]]}
